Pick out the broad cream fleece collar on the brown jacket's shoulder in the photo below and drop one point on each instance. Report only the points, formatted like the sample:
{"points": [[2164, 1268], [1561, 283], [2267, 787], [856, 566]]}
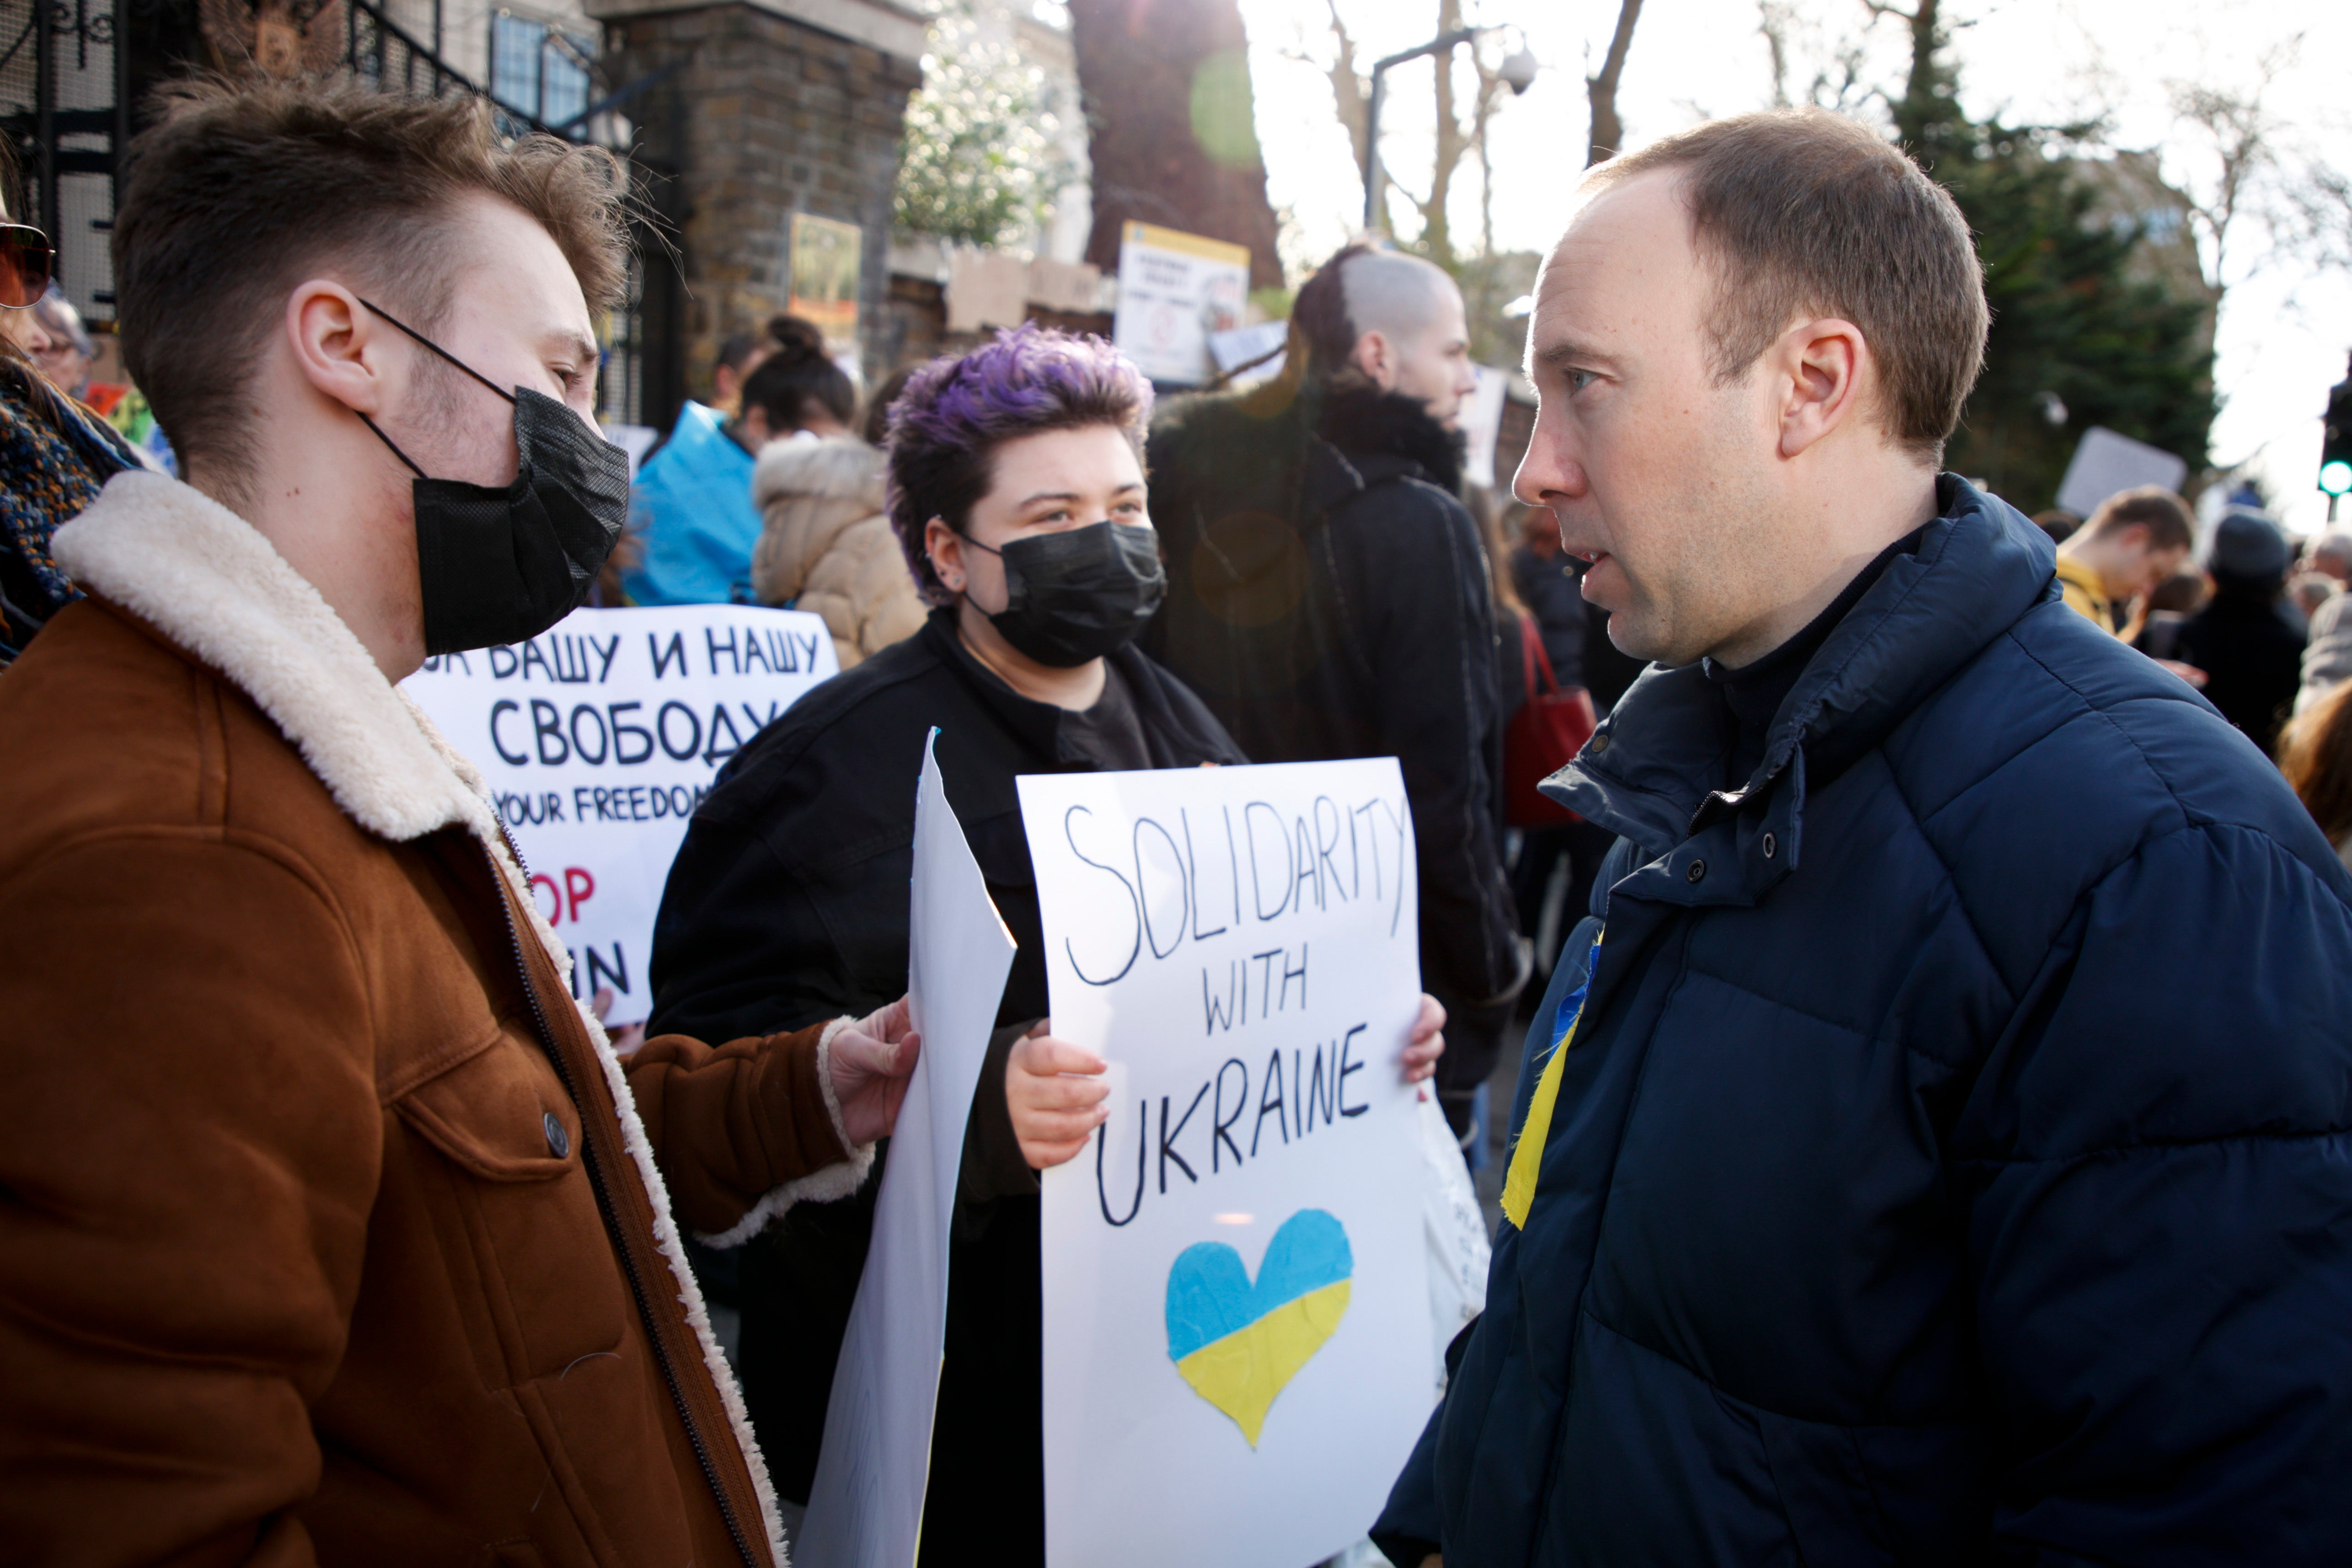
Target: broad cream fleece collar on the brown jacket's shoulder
{"points": [[208, 582]]}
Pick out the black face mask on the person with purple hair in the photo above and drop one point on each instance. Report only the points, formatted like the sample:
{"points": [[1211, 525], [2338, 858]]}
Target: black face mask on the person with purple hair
{"points": [[1078, 594]]}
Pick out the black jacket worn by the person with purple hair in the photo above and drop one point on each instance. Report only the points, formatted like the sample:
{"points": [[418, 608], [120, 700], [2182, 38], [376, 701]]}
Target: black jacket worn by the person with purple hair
{"points": [[789, 904]]}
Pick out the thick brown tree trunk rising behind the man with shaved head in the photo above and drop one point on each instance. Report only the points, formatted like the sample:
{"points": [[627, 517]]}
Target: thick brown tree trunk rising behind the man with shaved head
{"points": [[1170, 126]]}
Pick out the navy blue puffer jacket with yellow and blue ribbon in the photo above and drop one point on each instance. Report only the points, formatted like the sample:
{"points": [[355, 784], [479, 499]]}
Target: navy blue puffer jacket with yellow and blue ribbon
{"points": [[1953, 1162]]}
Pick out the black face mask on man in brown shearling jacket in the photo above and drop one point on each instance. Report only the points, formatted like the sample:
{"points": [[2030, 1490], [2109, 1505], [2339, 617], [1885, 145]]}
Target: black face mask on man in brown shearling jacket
{"points": [[502, 565]]}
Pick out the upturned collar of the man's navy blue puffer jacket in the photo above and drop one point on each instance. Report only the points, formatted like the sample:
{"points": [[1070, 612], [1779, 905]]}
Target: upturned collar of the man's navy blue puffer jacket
{"points": [[1650, 772]]}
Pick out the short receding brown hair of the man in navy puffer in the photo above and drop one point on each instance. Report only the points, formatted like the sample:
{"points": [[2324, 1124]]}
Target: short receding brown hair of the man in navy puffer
{"points": [[1805, 210]]}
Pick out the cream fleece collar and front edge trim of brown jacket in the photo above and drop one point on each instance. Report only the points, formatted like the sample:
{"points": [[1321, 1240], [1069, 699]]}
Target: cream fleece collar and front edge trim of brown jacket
{"points": [[218, 589]]}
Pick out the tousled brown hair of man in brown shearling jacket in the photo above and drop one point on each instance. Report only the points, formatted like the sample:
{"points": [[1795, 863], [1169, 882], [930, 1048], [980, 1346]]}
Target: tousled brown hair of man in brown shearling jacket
{"points": [[243, 189]]}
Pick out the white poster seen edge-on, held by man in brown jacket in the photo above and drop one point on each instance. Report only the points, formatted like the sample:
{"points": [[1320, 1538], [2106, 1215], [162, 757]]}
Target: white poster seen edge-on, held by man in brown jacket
{"points": [[876, 1461]]}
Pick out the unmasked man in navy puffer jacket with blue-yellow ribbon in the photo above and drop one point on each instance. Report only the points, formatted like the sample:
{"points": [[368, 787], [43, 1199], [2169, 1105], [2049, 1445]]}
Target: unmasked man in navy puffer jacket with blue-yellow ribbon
{"points": [[1935, 1148]]}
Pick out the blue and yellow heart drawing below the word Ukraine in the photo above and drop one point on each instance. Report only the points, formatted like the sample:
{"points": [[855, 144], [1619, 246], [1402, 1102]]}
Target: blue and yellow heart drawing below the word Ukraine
{"points": [[1238, 1343]]}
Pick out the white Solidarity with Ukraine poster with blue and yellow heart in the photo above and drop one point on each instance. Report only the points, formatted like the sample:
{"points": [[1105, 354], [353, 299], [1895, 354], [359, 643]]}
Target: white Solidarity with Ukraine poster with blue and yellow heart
{"points": [[1236, 1285]]}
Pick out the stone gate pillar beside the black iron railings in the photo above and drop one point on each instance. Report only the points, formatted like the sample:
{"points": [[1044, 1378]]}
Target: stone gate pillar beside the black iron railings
{"points": [[756, 119]]}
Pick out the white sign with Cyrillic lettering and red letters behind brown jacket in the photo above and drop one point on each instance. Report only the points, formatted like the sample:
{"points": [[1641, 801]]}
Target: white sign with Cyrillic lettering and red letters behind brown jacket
{"points": [[601, 737]]}
